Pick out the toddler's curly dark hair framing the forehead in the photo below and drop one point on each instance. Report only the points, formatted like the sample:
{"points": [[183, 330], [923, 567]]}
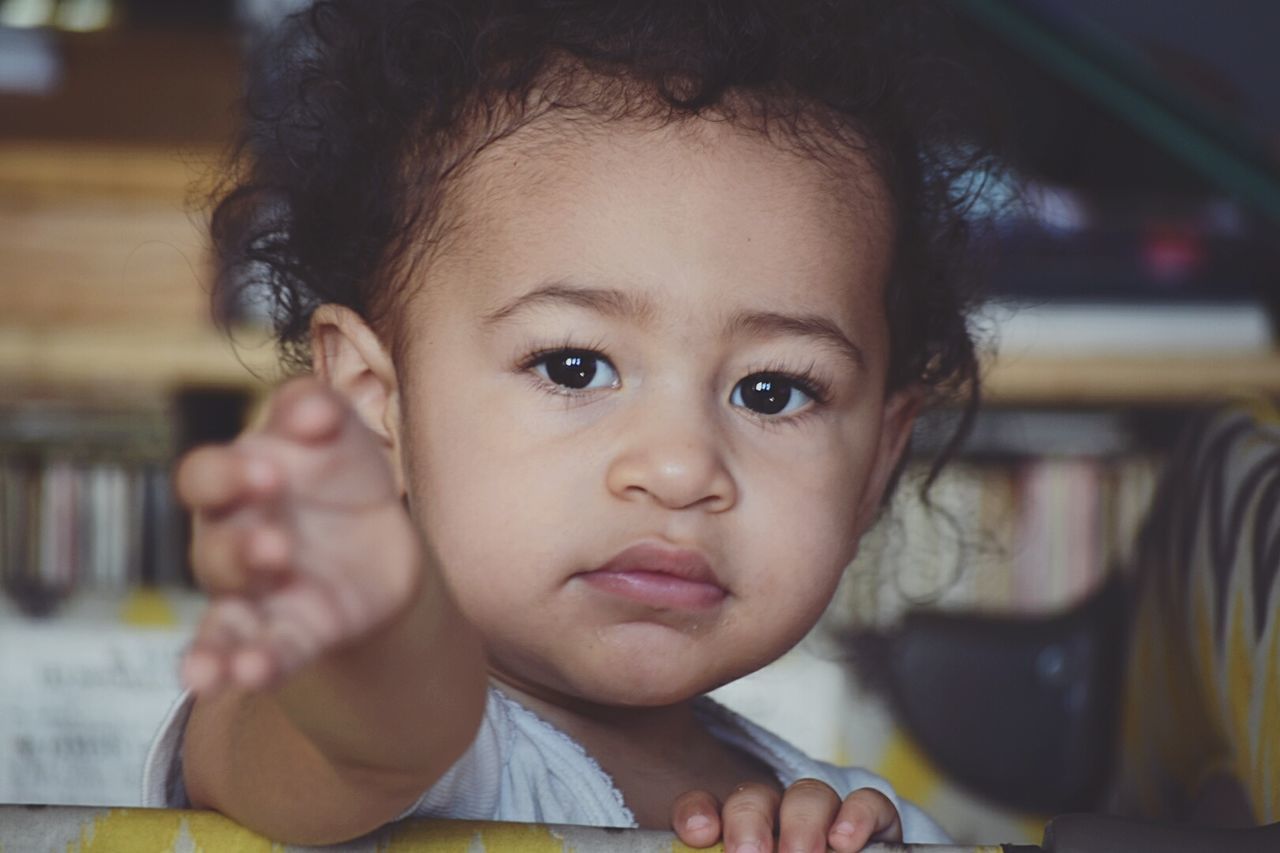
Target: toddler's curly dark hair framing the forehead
{"points": [[369, 107]]}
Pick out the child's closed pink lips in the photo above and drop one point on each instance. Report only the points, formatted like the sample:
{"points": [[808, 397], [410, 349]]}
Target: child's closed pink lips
{"points": [[660, 577]]}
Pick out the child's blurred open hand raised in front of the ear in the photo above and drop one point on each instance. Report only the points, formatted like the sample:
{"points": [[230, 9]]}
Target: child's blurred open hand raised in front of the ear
{"points": [[300, 537]]}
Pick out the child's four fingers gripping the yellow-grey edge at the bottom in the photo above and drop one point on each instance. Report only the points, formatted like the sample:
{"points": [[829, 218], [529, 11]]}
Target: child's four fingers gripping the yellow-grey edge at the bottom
{"points": [[808, 816]]}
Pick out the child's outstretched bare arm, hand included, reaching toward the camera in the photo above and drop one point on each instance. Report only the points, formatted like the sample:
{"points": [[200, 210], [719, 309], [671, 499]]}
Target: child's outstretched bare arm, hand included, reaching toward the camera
{"points": [[337, 681]]}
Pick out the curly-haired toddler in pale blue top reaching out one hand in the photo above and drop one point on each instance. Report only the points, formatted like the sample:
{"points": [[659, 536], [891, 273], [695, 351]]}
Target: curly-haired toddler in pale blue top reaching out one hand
{"points": [[618, 318]]}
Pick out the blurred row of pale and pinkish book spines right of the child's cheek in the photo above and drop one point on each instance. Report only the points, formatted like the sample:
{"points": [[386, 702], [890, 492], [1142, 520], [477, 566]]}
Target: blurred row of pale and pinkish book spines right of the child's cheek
{"points": [[1012, 533]]}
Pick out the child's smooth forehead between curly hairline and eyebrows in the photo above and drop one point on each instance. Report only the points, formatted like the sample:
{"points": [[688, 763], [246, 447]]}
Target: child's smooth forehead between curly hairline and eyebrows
{"points": [[680, 209]]}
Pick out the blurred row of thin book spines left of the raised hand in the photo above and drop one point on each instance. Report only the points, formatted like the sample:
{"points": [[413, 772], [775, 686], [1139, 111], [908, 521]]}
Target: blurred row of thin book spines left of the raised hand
{"points": [[86, 503]]}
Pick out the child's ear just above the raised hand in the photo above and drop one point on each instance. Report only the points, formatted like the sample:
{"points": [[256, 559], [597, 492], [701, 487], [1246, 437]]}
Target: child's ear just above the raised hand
{"points": [[351, 359]]}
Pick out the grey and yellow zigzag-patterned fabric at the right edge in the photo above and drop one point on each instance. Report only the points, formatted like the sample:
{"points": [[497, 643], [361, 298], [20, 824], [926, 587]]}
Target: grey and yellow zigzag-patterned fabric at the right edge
{"points": [[1204, 674]]}
